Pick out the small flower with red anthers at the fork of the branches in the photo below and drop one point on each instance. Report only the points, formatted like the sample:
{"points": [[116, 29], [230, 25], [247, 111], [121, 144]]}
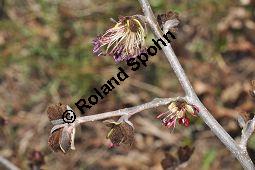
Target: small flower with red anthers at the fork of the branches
{"points": [[177, 111]]}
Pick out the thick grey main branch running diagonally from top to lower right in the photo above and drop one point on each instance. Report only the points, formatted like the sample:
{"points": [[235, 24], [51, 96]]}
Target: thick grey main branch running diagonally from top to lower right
{"points": [[216, 128]]}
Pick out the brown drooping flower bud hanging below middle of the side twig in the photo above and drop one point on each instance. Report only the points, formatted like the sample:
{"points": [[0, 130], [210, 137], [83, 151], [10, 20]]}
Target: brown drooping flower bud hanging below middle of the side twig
{"points": [[120, 133]]}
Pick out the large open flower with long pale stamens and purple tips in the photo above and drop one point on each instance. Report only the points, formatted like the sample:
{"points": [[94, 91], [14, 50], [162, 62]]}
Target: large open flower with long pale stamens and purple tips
{"points": [[123, 41]]}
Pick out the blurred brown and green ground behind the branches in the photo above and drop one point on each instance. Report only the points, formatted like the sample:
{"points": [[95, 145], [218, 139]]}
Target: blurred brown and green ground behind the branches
{"points": [[46, 57]]}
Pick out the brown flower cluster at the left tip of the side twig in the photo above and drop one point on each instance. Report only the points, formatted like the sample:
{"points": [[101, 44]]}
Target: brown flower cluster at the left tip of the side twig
{"points": [[61, 138]]}
